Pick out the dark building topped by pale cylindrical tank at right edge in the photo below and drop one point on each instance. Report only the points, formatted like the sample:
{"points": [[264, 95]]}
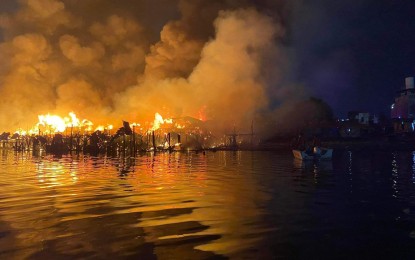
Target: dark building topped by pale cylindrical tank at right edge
{"points": [[403, 110]]}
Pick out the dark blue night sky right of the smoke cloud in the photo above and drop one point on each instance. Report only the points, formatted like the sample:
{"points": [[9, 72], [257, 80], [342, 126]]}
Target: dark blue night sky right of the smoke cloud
{"points": [[352, 54]]}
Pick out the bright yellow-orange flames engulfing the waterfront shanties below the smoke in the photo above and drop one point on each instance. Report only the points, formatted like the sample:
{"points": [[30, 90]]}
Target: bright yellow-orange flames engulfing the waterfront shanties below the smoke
{"points": [[161, 134]]}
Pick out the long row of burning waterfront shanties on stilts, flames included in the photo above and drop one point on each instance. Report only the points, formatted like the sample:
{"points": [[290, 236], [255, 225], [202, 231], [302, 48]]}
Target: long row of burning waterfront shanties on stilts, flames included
{"points": [[56, 134]]}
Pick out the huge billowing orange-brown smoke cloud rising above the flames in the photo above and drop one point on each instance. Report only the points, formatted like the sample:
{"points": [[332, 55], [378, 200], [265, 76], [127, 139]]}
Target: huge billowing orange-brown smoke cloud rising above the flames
{"points": [[222, 61]]}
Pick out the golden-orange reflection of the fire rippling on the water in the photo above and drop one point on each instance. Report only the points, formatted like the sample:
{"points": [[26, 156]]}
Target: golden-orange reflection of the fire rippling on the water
{"points": [[160, 190]]}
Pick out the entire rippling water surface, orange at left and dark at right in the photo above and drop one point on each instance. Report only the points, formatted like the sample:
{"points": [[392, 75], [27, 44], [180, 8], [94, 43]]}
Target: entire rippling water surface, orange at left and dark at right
{"points": [[225, 204]]}
